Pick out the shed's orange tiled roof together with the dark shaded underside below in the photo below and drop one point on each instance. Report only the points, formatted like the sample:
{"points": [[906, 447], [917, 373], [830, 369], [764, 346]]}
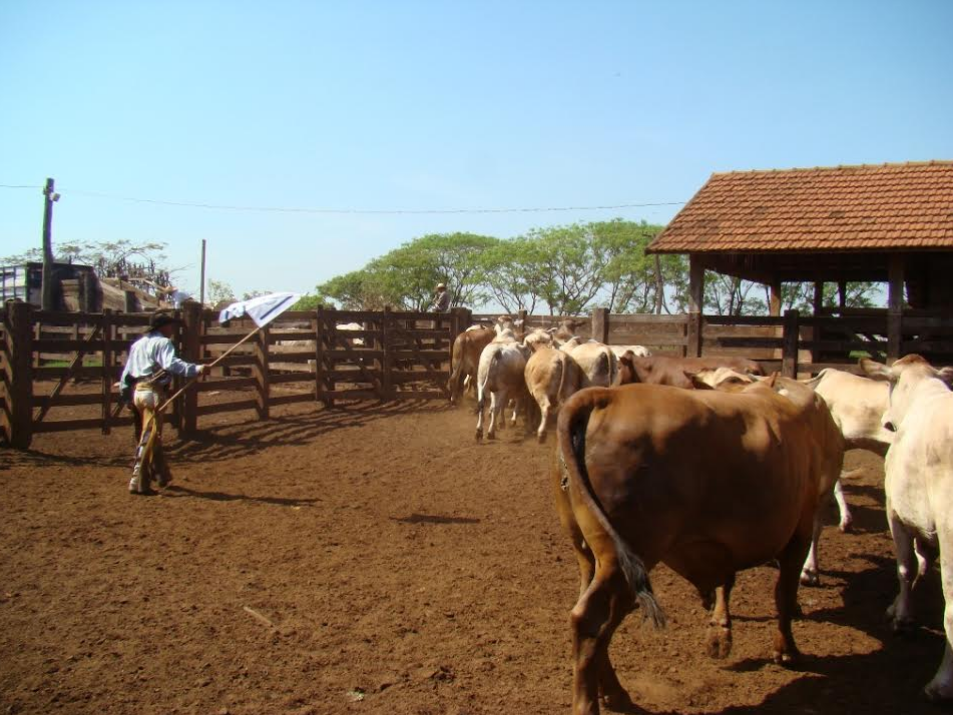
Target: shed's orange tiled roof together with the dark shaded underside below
{"points": [[844, 223]]}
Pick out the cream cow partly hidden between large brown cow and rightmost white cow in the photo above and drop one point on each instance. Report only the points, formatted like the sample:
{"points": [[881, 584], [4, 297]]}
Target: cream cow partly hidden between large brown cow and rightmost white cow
{"points": [[857, 405]]}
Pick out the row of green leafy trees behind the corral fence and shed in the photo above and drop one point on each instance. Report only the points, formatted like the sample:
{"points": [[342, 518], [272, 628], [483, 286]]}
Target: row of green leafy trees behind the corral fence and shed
{"points": [[560, 270]]}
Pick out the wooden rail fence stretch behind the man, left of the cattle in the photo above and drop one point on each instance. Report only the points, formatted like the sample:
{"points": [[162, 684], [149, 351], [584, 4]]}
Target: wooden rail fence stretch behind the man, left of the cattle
{"points": [[54, 360]]}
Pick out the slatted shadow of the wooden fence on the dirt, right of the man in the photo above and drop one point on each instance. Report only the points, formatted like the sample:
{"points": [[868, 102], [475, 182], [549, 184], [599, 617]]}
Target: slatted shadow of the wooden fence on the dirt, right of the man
{"points": [[237, 439]]}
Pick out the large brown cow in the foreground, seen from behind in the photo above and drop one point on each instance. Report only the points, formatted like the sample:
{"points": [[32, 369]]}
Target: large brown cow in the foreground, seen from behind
{"points": [[709, 483]]}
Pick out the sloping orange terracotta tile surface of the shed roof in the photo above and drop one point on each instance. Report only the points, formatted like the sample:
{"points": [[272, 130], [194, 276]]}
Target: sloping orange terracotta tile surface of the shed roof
{"points": [[844, 208]]}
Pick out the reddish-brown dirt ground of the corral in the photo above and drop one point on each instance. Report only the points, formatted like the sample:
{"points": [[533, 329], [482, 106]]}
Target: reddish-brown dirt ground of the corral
{"points": [[376, 560]]}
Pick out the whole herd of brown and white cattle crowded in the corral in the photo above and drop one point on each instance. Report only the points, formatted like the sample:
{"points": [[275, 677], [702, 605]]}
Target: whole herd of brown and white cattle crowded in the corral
{"points": [[711, 467]]}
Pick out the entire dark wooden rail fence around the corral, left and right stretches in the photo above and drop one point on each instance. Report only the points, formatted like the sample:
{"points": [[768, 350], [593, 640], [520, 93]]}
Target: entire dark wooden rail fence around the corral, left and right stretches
{"points": [[49, 361]]}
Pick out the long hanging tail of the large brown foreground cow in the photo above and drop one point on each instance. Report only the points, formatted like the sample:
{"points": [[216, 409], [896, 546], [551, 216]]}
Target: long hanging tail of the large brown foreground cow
{"points": [[571, 435]]}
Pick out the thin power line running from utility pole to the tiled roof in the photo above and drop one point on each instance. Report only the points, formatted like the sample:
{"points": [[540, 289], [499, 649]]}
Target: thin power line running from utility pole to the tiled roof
{"points": [[330, 211]]}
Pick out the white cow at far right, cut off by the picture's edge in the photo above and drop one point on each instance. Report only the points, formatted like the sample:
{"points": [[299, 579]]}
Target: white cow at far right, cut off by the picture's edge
{"points": [[919, 488]]}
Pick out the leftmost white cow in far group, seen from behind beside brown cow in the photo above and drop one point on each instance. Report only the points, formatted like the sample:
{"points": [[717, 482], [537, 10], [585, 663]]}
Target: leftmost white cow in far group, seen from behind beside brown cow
{"points": [[500, 374]]}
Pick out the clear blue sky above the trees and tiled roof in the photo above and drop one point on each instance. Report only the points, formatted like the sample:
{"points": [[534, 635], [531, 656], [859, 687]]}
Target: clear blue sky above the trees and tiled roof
{"points": [[427, 105]]}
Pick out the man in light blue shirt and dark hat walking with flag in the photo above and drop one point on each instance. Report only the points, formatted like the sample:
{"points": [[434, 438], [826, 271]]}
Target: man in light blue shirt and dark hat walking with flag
{"points": [[148, 372]]}
